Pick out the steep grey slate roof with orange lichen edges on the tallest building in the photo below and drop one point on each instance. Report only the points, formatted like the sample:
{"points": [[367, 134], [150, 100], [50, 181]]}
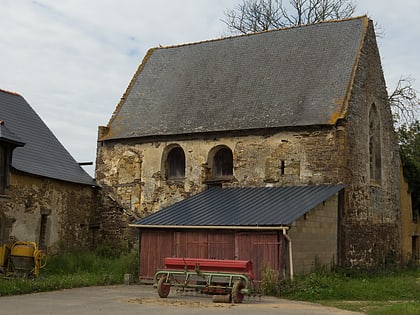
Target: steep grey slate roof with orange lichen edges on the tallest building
{"points": [[297, 76]]}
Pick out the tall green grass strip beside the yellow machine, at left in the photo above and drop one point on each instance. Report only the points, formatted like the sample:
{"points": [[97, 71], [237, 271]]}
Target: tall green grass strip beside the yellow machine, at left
{"points": [[75, 269]]}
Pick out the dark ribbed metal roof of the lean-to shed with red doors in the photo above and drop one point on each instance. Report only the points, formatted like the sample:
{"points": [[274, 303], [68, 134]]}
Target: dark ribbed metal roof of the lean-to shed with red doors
{"points": [[241, 207]]}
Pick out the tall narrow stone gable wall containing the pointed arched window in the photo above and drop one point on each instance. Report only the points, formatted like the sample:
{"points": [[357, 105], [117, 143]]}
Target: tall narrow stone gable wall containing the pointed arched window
{"points": [[371, 219]]}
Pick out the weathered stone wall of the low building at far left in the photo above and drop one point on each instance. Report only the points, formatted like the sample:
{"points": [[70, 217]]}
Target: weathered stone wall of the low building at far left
{"points": [[50, 212]]}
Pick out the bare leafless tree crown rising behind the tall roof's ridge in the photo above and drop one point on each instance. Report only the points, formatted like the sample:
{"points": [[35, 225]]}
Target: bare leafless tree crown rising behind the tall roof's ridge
{"points": [[262, 15]]}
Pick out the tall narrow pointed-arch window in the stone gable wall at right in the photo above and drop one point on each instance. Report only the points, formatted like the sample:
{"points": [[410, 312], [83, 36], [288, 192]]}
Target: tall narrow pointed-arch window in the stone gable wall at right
{"points": [[375, 152]]}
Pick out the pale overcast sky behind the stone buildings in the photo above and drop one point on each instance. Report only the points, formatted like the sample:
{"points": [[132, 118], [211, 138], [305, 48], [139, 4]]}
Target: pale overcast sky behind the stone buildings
{"points": [[72, 60]]}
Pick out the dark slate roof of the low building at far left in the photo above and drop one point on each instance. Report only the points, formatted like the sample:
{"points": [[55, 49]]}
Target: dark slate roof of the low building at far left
{"points": [[42, 154]]}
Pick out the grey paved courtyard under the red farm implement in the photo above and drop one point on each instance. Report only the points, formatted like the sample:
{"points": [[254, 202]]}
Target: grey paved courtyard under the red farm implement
{"points": [[143, 299]]}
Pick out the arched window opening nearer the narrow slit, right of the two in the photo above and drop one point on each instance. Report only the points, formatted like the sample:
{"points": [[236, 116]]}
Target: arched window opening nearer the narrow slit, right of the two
{"points": [[221, 162]]}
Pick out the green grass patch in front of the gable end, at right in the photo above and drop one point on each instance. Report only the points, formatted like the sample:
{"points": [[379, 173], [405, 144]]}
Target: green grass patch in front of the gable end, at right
{"points": [[379, 293]]}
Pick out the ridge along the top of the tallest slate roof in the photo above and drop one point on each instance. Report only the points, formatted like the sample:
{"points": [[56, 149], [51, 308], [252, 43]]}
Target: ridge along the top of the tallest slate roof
{"points": [[262, 32]]}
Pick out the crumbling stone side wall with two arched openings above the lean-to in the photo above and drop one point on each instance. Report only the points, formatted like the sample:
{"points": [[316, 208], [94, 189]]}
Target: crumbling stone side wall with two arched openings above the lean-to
{"points": [[309, 157]]}
